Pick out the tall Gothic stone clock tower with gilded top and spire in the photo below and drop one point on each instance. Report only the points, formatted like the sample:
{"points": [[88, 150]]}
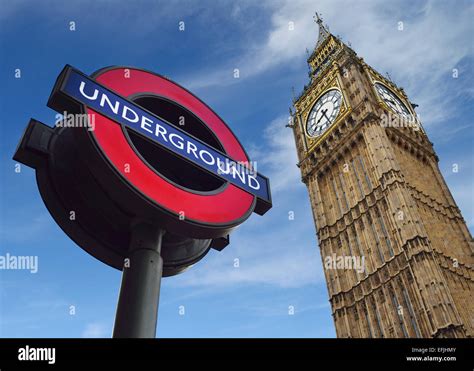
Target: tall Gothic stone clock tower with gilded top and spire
{"points": [[397, 255]]}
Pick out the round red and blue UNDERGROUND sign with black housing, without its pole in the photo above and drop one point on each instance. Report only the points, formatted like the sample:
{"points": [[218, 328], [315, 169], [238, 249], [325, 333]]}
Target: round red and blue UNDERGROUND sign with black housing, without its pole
{"points": [[131, 145]]}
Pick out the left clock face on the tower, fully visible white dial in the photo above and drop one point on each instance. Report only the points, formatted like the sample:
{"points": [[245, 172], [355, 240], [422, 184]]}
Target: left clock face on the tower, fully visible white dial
{"points": [[324, 112]]}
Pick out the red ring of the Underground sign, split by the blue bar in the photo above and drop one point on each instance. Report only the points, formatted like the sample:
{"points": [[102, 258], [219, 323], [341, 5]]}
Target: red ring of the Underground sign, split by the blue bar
{"points": [[225, 207]]}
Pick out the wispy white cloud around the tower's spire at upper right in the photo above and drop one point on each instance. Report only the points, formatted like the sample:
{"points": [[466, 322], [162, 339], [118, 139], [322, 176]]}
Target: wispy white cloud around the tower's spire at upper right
{"points": [[434, 39]]}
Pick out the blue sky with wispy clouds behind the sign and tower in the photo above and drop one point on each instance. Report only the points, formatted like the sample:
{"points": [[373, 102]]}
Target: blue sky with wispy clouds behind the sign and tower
{"points": [[279, 262]]}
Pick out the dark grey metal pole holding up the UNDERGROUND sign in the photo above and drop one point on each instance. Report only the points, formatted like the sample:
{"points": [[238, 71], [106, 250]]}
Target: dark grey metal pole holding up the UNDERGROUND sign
{"points": [[137, 308]]}
